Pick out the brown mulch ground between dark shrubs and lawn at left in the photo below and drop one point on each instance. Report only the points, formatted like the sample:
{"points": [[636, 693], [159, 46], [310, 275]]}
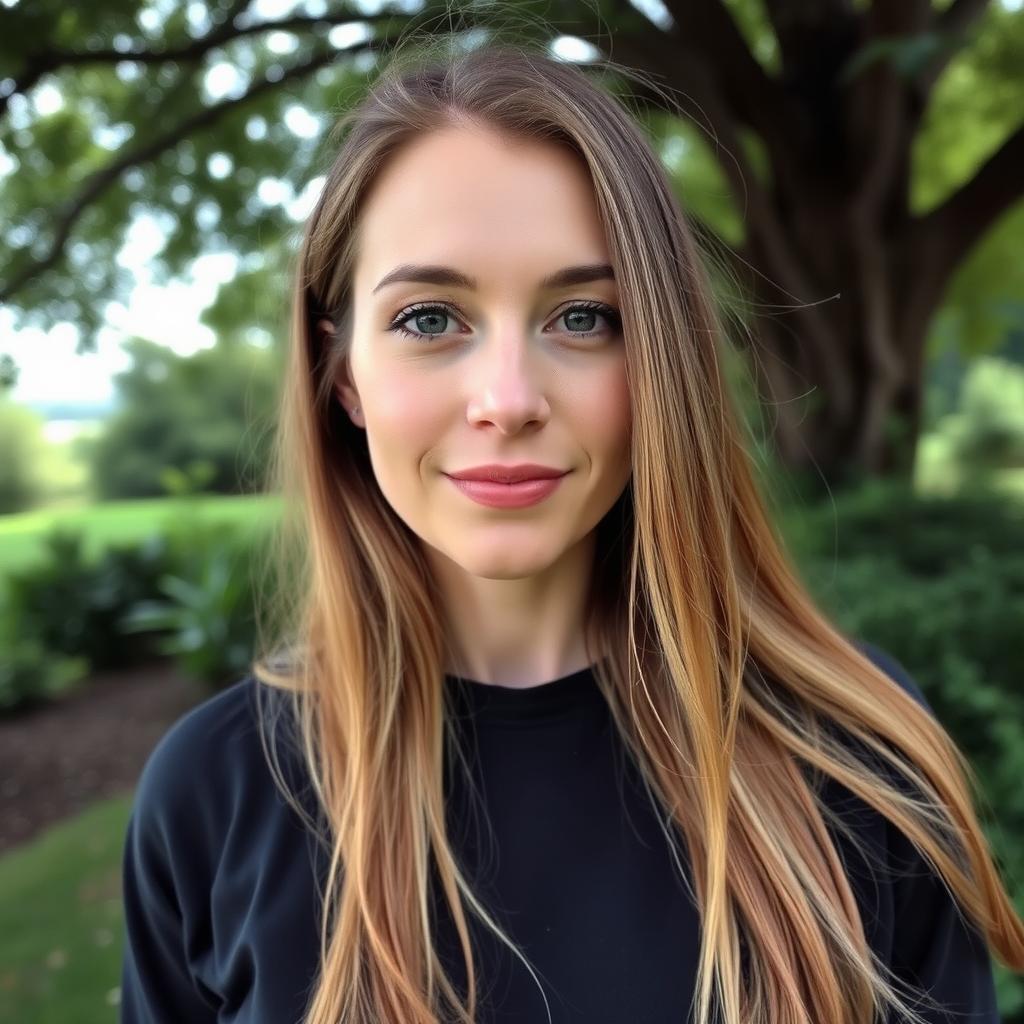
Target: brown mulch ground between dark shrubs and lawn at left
{"points": [[58, 759]]}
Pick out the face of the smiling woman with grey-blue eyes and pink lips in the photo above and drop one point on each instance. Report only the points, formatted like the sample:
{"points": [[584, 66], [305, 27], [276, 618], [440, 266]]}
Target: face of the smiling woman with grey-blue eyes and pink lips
{"points": [[499, 367]]}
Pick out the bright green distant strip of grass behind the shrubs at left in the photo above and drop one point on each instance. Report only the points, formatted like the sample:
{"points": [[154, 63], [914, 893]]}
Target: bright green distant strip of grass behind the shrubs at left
{"points": [[22, 536]]}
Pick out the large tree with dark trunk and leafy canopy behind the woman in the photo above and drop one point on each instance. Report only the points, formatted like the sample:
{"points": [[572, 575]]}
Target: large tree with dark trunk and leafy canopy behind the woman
{"points": [[824, 120]]}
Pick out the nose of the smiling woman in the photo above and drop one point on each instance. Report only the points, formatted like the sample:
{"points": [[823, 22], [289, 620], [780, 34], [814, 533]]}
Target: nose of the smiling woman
{"points": [[506, 390]]}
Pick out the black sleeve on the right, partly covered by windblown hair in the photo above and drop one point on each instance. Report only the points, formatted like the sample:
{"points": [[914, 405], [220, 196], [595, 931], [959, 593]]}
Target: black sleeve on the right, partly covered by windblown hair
{"points": [[935, 949]]}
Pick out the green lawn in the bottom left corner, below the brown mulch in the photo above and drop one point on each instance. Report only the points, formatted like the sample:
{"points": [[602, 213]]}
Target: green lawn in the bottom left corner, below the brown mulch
{"points": [[61, 921]]}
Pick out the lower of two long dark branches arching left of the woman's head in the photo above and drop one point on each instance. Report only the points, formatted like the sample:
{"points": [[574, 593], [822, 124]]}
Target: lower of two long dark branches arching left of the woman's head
{"points": [[105, 179]]}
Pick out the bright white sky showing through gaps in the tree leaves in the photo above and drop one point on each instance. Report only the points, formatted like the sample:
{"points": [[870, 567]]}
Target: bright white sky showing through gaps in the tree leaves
{"points": [[50, 369]]}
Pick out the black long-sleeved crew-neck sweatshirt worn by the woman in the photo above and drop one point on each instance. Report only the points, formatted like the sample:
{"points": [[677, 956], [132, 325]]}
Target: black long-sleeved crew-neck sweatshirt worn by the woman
{"points": [[221, 876]]}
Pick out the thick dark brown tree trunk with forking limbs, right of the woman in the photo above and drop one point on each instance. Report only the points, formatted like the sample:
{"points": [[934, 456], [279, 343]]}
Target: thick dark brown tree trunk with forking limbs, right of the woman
{"points": [[846, 279]]}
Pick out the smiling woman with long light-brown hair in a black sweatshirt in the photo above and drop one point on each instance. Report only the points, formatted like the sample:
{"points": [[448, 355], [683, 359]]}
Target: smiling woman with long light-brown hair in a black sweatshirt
{"points": [[564, 739]]}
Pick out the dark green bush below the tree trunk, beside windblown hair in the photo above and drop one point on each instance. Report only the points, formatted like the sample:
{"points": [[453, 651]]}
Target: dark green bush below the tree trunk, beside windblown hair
{"points": [[940, 584]]}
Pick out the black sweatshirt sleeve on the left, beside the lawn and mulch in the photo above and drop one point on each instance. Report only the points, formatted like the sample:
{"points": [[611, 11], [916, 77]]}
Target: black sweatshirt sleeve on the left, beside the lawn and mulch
{"points": [[159, 891]]}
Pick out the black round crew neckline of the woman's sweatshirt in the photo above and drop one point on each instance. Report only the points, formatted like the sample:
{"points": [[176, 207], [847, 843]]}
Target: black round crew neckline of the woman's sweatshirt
{"points": [[554, 700]]}
